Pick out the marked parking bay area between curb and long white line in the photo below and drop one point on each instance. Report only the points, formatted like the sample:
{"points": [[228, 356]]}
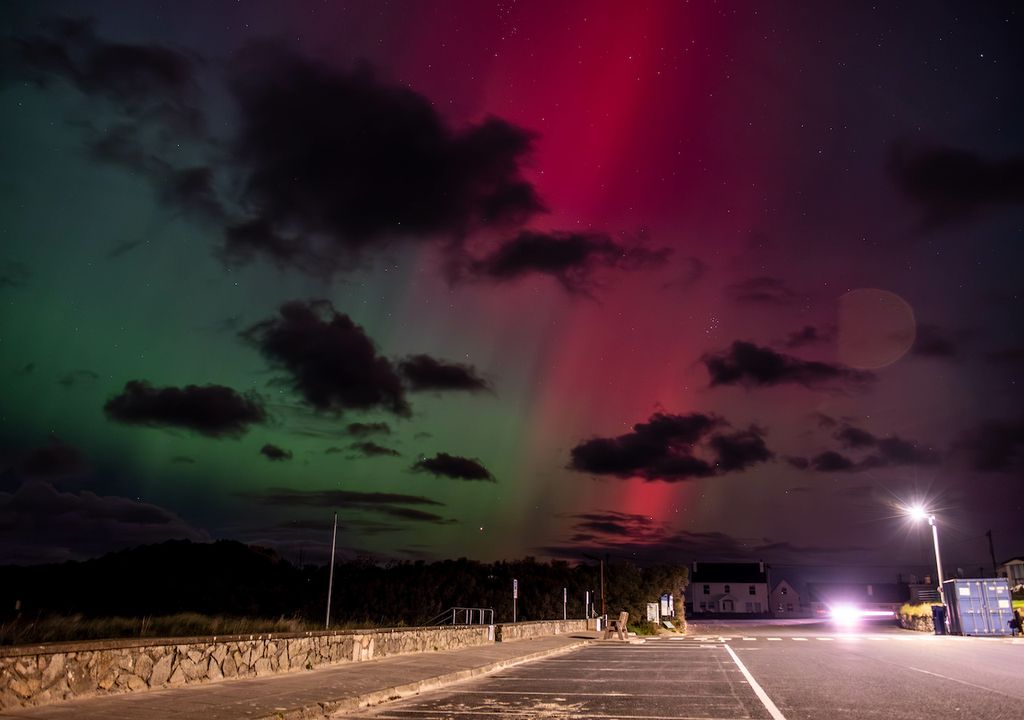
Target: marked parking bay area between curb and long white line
{"points": [[663, 679]]}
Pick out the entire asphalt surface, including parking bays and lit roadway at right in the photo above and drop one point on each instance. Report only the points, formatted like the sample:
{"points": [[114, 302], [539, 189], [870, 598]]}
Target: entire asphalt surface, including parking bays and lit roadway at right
{"points": [[782, 670]]}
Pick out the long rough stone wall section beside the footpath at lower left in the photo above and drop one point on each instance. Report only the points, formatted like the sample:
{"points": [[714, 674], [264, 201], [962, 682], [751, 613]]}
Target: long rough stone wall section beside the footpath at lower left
{"points": [[42, 674]]}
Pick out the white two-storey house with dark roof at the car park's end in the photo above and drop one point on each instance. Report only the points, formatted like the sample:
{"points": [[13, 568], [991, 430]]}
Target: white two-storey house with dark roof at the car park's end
{"points": [[730, 587]]}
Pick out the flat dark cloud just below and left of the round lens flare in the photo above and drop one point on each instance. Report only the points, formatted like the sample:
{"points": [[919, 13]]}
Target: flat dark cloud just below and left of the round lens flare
{"points": [[749, 365]]}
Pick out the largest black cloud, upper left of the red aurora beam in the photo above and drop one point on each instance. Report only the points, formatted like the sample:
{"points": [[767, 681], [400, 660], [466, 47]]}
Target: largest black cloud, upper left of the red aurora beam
{"points": [[337, 161]]}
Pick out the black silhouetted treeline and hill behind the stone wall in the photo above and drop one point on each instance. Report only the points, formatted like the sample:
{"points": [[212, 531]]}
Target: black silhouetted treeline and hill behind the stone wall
{"points": [[228, 578]]}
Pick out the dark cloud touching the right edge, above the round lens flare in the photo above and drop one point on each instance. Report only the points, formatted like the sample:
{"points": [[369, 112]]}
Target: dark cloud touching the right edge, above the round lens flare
{"points": [[951, 185]]}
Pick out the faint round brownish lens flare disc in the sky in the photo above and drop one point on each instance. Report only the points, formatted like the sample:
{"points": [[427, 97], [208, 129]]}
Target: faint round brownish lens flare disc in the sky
{"points": [[876, 328]]}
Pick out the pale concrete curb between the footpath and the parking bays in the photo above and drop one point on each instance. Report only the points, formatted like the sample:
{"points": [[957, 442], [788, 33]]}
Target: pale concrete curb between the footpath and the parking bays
{"points": [[331, 708]]}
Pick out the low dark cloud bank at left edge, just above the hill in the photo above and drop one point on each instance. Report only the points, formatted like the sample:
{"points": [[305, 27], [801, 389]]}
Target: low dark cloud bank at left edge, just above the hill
{"points": [[39, 524]]}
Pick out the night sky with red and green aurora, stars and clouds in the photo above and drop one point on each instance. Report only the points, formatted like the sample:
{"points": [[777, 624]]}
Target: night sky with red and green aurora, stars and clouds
{"points": [[662, 281]]}
